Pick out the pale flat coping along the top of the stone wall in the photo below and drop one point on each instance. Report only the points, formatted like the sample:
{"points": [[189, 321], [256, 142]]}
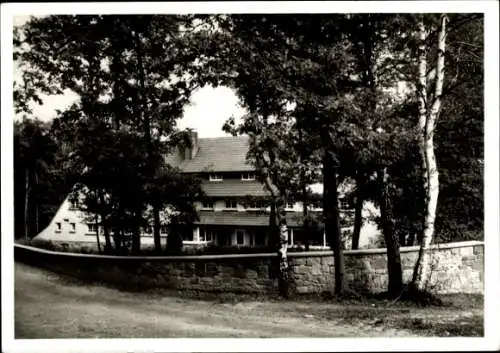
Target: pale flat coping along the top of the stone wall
{"points": [[240, 256]]}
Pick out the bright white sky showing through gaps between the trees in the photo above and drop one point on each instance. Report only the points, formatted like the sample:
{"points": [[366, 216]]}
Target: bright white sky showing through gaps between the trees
{"points": [[209, 108]]}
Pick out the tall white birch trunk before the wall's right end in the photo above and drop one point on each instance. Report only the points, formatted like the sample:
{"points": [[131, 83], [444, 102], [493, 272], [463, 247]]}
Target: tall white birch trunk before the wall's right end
{"points": [[422, 268]]}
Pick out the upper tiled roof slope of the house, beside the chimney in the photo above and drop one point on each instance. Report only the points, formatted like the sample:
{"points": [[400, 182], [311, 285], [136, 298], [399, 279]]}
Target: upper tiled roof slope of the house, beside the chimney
{"points": [[219, 154]]}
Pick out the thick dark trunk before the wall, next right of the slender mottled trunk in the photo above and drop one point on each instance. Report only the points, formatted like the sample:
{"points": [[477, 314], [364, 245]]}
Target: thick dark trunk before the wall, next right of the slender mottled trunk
{"points": [[332, 221]]}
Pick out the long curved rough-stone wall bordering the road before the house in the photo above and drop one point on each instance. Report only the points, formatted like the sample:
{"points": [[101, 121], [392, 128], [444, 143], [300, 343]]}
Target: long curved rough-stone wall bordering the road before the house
{"points": [[456, 267]]}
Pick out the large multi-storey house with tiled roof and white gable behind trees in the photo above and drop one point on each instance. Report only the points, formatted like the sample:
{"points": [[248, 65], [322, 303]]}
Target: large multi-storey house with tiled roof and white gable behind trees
{"points": [[233, 212]]}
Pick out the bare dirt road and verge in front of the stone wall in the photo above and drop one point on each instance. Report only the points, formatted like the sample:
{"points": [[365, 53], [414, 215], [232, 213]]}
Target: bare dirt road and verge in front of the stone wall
{"points": [[50, 306]]}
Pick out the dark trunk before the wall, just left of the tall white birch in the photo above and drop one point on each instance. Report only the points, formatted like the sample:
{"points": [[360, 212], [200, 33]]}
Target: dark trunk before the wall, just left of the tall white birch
{"points": [[393, 256]]}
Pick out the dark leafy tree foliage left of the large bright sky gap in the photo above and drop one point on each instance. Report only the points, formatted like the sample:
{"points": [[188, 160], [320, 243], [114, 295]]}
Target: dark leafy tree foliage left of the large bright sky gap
{"points": [[124, 123]]}
